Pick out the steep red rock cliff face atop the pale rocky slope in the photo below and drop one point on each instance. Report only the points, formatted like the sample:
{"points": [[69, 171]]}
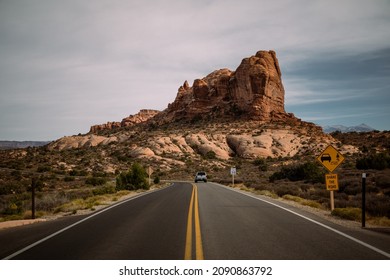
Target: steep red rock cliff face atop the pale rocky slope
{"points": [[254, 91]]}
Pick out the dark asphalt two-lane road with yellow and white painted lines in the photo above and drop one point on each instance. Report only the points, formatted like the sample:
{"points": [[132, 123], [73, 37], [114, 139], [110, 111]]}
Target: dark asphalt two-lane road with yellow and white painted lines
{"points": [[193, 221]]}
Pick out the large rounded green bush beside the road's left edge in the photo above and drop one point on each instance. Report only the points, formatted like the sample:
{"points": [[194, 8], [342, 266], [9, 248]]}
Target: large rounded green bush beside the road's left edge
{"points": [[135, 178]]}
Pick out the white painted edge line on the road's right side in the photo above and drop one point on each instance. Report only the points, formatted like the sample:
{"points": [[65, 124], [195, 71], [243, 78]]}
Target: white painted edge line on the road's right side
{"points": [[387, 255]]}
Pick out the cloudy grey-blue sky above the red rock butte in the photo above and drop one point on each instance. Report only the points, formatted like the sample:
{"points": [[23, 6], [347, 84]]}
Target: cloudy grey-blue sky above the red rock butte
{"points": [[67, 65]]}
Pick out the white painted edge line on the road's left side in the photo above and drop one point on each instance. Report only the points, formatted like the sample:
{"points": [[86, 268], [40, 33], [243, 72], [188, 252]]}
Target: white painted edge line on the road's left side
{"points": [[79, 222]]}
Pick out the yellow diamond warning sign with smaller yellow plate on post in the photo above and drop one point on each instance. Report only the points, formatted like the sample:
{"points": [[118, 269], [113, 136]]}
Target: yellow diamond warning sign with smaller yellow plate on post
{"points": [[330, 158]]}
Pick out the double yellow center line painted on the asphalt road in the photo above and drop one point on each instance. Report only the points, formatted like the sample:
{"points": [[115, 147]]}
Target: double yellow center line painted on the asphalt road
{"points": [[193, 213]]}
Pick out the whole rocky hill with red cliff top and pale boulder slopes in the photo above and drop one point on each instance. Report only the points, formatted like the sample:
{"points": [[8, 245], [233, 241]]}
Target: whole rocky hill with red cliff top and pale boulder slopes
{"points": [[223, 115]]}
